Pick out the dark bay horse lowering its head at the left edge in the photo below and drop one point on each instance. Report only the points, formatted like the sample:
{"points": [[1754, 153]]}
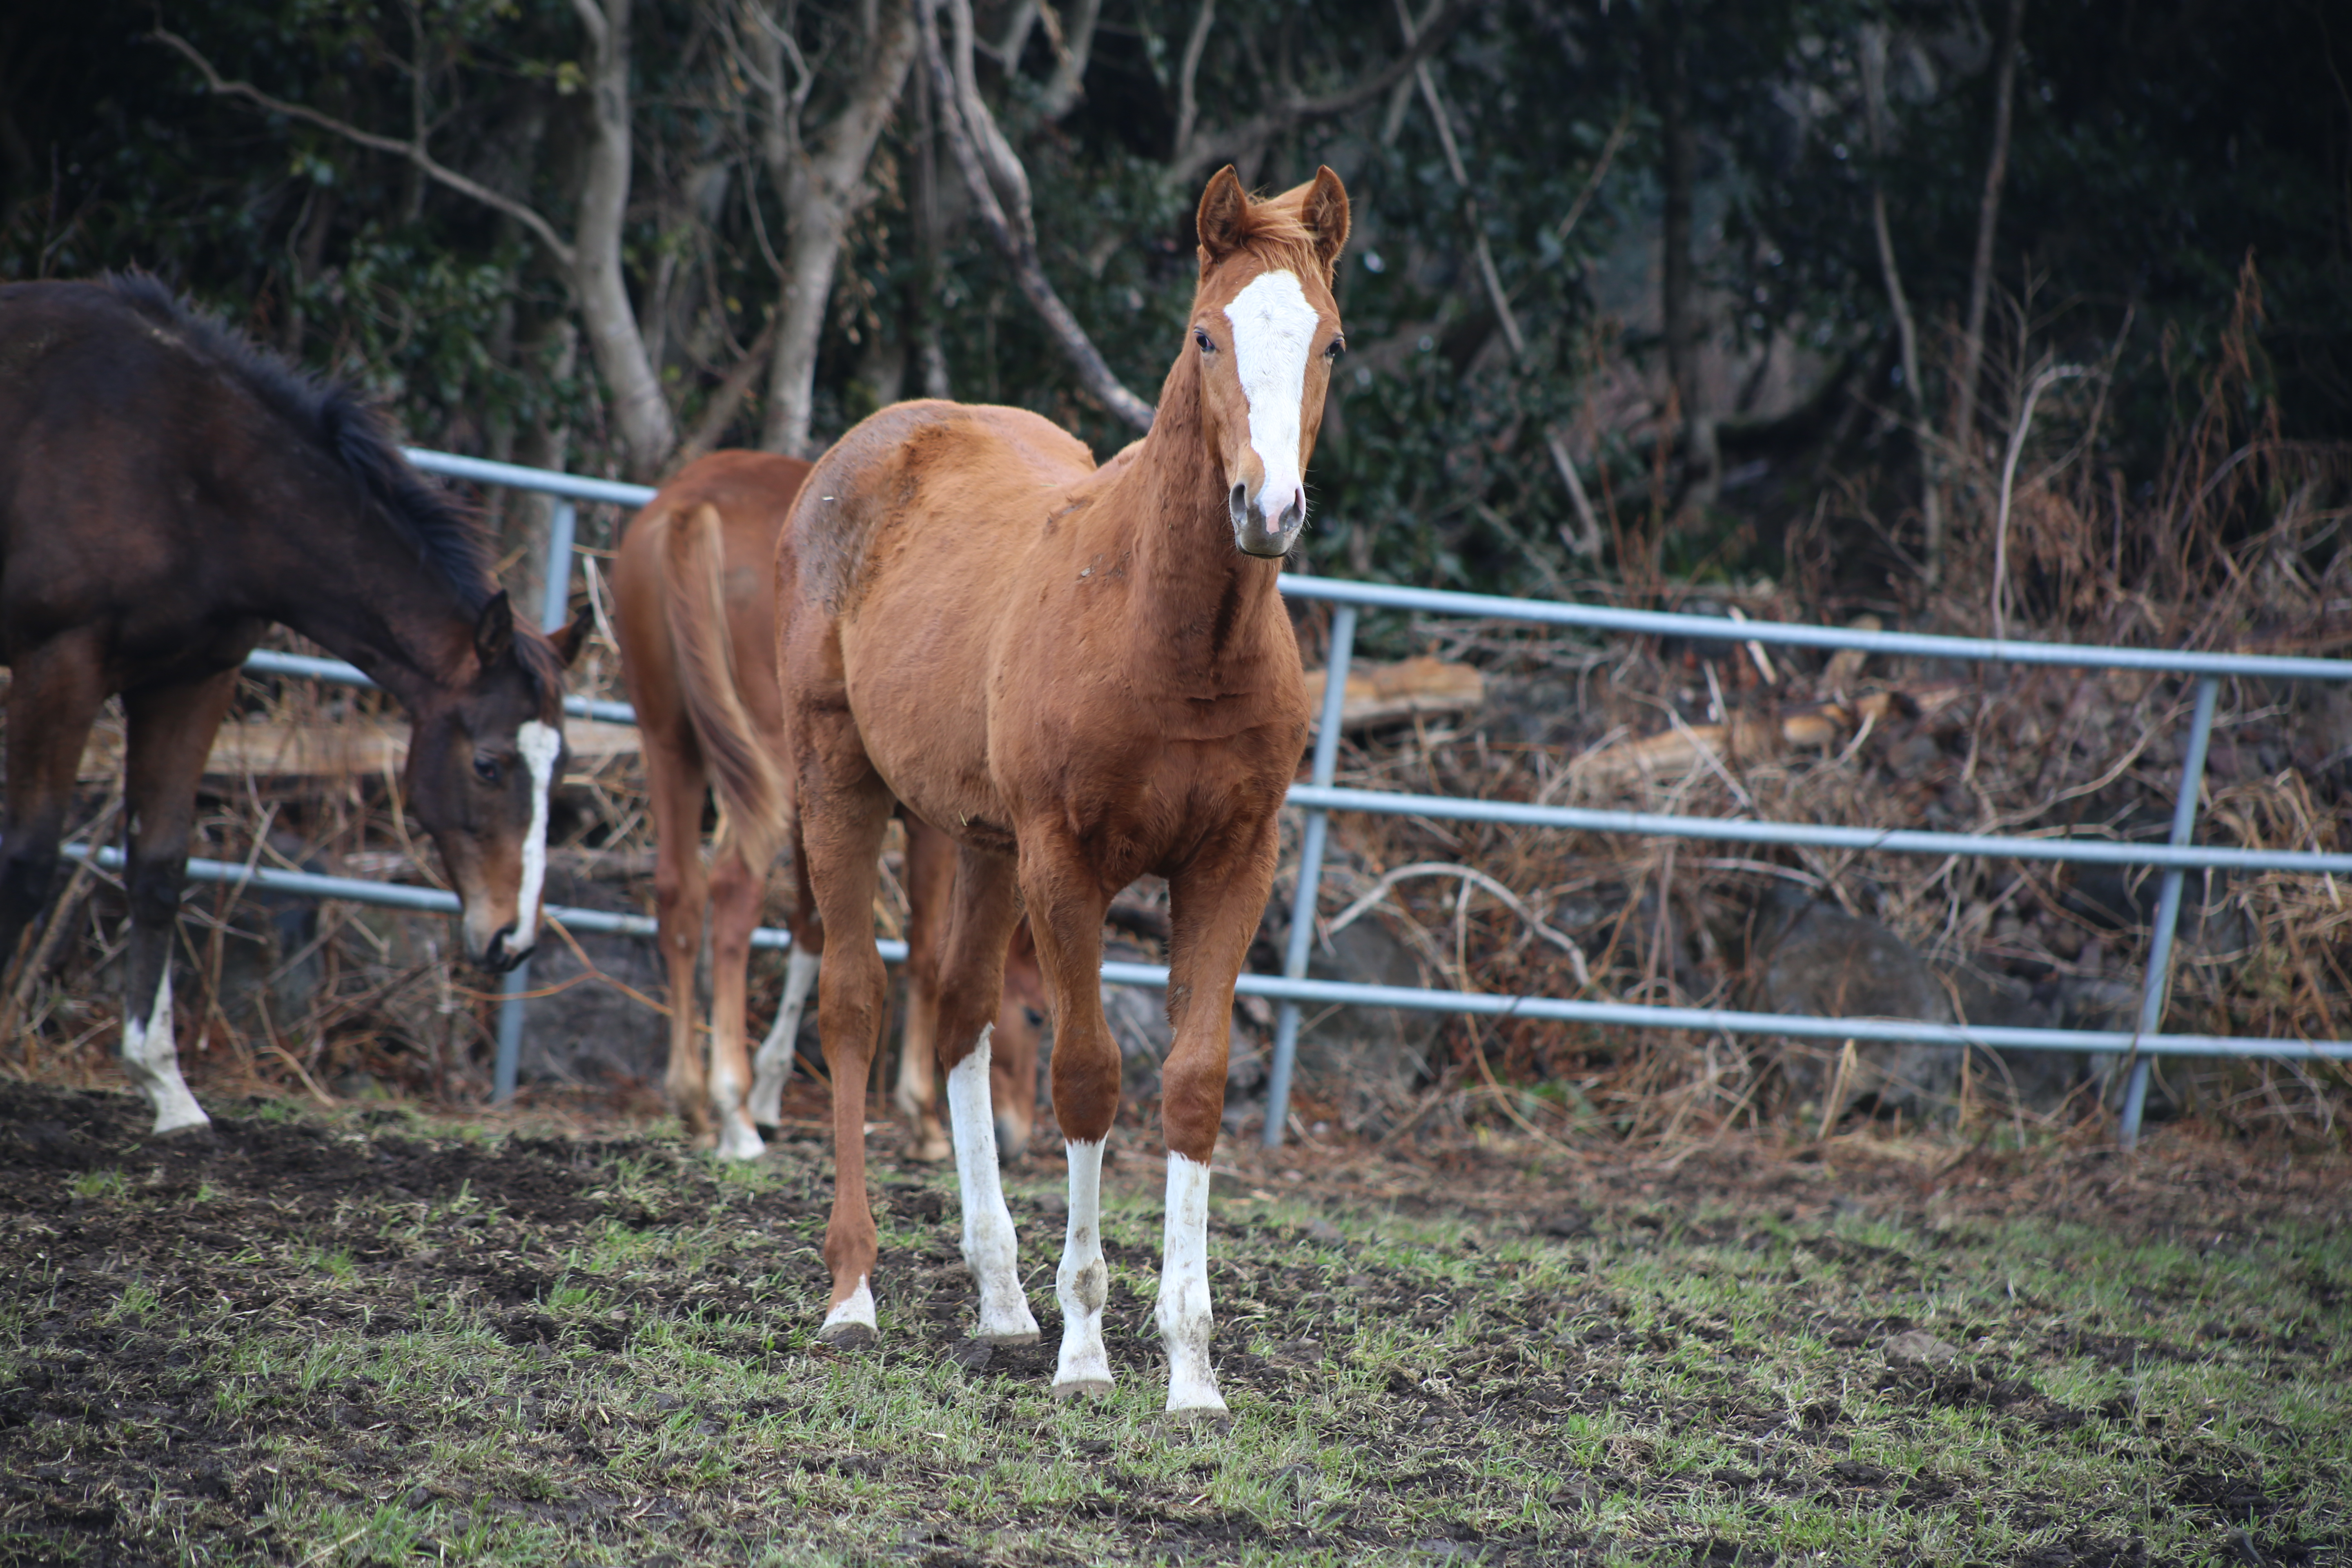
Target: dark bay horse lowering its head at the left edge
{"points": [[166, 492]]}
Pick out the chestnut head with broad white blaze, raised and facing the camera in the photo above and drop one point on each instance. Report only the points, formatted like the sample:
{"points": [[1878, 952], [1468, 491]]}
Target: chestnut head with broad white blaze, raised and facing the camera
{"points": [[1264, 333]]}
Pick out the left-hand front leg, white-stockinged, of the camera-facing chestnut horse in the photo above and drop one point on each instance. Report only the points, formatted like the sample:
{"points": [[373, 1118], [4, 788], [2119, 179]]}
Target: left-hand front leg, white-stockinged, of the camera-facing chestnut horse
{"points": [[1067, 923]]}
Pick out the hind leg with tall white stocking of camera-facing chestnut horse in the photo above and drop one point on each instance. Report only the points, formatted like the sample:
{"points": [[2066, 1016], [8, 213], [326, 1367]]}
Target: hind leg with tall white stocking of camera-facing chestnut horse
{"points": [[970, 986]]}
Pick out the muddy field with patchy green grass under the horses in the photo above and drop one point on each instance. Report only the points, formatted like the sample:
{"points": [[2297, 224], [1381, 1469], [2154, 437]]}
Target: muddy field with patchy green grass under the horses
{"points": [[368, 1339]]}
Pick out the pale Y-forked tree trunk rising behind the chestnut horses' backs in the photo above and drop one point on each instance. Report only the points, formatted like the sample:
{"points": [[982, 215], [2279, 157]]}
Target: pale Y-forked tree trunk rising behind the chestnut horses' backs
{"points": [[822, 187]]}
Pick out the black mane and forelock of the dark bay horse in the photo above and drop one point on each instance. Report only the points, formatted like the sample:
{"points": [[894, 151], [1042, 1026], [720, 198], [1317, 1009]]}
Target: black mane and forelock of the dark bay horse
{"points": [[340, 422]]}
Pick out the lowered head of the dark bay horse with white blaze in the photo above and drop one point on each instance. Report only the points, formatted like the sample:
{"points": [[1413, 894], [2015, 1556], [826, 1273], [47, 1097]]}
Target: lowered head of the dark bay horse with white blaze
{"points": [[481, 768]]}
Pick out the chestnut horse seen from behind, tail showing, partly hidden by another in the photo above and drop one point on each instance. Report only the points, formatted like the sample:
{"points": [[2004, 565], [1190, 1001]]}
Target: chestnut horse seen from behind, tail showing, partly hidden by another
{"points": [[695, 610]]}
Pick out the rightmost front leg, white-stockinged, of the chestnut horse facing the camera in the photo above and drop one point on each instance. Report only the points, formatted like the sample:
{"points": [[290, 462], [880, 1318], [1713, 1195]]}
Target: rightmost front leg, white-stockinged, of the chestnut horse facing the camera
{"points": [[1215, 909]]}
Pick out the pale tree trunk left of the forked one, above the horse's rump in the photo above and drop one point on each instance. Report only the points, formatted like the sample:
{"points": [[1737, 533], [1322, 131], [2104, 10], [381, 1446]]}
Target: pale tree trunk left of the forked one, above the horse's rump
{"points": [[641, 413]]}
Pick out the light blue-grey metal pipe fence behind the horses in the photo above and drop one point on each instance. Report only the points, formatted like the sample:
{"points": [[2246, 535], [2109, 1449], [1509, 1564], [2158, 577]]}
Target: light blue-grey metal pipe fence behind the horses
{"points": [[1321, 798]]}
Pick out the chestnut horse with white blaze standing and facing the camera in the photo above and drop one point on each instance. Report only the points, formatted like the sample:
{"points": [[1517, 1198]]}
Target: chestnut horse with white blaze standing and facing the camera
{"points": [[1083, 676]]}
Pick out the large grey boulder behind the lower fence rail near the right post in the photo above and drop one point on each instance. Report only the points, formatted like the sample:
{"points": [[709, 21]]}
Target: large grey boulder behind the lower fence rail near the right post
{"points": [[1815, 958]]}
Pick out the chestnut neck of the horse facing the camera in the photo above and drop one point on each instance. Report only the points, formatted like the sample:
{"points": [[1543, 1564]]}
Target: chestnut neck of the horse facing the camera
{"points": [[1203, 603]]}
